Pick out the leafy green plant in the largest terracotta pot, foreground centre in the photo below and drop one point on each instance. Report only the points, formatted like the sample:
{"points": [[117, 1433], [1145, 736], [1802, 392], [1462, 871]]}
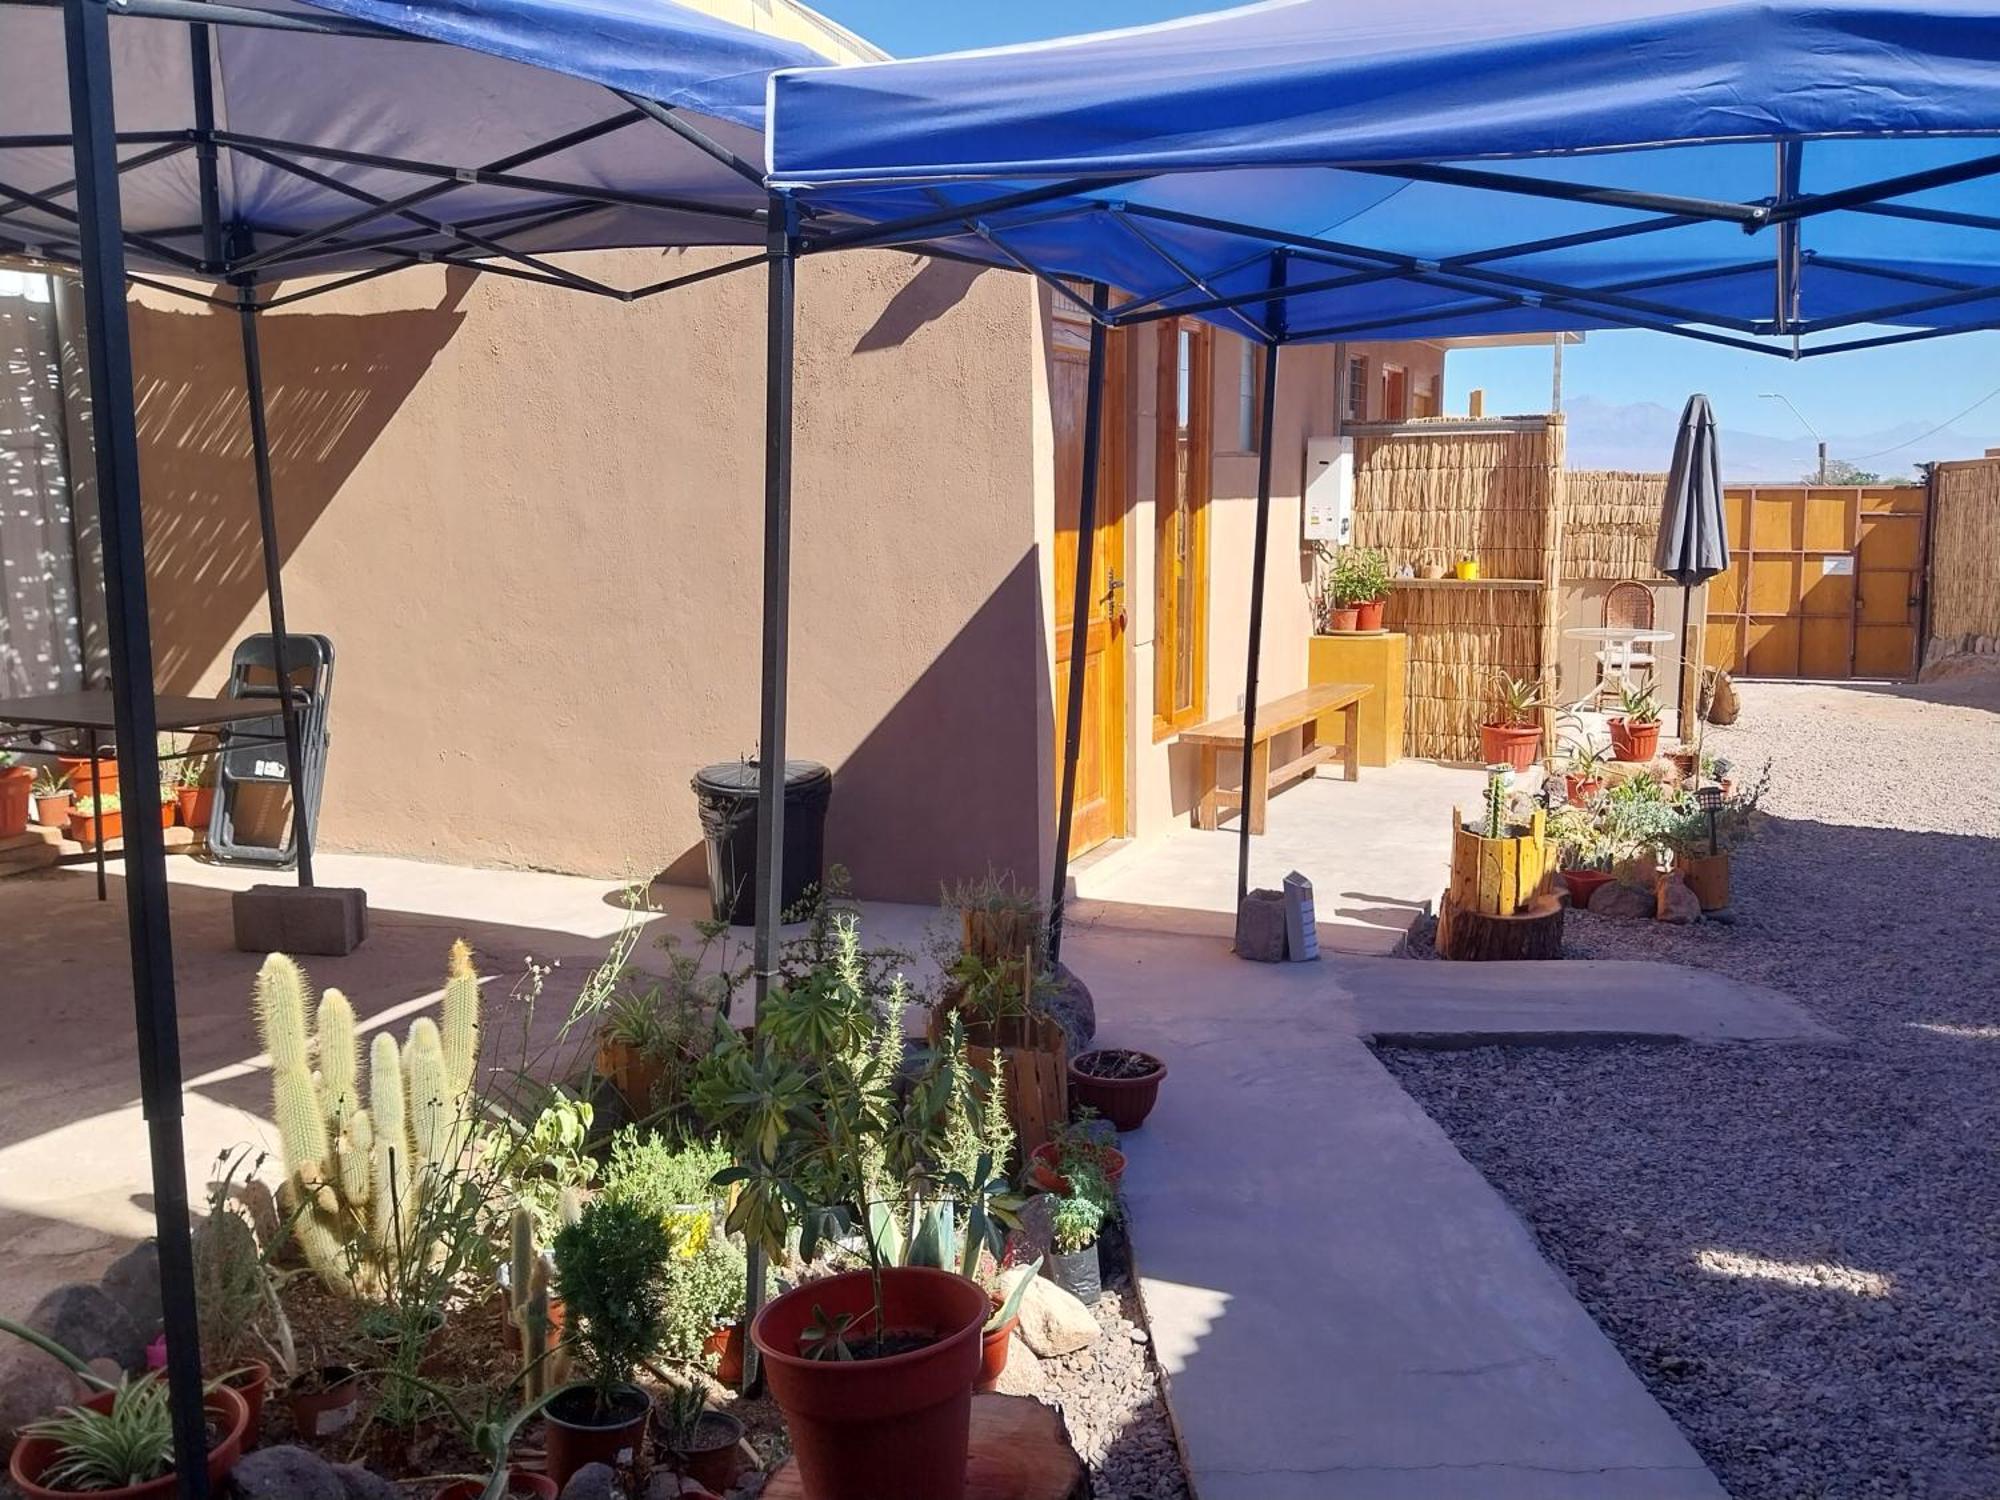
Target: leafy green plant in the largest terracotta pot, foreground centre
{"points": [[873, 1369]]}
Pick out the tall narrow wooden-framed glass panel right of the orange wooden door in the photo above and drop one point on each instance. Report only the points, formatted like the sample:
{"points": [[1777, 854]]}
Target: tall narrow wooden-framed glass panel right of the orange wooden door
{"points": [[1183, 447]]}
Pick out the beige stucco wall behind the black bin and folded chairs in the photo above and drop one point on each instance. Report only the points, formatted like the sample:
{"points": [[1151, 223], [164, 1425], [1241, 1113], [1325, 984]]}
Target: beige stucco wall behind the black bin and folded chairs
{"points": [[533, 525]]}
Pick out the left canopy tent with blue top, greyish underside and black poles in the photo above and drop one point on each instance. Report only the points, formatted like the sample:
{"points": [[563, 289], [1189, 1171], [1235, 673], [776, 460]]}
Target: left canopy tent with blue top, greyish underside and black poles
{"points": [[243, 147]]}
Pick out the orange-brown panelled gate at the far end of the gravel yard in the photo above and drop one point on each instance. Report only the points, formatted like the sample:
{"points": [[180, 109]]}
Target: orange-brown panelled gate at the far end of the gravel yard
{"points": [[1823, 583]]}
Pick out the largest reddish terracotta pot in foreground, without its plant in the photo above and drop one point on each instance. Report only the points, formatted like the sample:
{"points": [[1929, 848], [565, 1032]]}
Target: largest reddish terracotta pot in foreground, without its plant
{"points": [[891, 1429]]}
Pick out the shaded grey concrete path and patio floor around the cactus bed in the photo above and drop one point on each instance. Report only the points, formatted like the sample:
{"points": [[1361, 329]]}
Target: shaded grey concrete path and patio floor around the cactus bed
{"points": [[1341, 1303]]}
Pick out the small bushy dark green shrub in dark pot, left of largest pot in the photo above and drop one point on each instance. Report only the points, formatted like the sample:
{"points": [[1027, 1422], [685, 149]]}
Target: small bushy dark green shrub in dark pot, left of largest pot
{"points": [[609, 1265]]}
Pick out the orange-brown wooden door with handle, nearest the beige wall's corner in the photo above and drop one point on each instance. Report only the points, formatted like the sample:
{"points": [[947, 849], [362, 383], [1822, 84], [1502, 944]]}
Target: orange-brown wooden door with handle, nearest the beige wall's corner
{"points": [[1101, 757]]}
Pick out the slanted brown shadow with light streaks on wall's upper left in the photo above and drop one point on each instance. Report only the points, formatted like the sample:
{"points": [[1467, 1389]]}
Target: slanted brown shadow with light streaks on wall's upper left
{"points": [[331, 385]]}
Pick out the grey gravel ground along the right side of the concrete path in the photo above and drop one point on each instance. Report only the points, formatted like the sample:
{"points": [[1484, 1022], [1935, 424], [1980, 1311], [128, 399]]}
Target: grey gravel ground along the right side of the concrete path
{"points": [[1799, 1249]]}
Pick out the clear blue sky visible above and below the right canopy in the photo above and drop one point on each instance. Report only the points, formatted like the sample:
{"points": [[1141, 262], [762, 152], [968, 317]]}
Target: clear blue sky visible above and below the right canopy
{"points": [[1851, 399]]}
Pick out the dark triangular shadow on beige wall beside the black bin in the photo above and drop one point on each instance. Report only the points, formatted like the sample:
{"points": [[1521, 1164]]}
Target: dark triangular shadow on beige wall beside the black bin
{"points": [[949, 781]]}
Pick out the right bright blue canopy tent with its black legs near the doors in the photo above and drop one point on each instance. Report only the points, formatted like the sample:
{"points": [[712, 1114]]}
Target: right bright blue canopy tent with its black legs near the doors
{"points": [[1791, 177]]}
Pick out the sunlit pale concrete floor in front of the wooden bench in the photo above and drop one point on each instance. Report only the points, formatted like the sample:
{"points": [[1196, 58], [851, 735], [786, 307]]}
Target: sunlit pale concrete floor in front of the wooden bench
{"points": [[1377, 851]]}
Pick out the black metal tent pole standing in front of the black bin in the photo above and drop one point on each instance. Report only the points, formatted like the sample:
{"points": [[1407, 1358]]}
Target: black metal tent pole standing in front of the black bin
{"points": [[779, 313]]}
